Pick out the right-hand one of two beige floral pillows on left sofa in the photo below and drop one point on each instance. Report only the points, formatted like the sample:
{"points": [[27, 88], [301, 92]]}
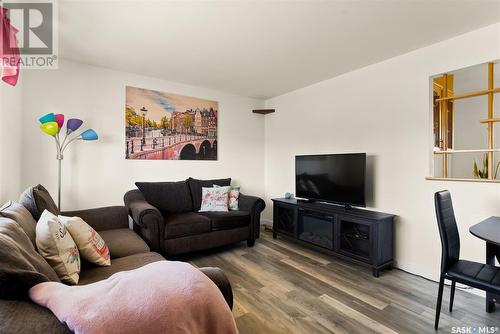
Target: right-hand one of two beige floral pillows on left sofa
{"points": [[90, 244]]}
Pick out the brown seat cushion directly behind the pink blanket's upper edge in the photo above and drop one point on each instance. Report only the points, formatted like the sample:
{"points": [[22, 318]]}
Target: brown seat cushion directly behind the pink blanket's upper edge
{"points": [[94, 274]]}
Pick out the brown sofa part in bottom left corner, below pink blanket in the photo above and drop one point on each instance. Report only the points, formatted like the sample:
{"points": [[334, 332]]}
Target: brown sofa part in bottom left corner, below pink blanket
{"points": [[26, 317]]}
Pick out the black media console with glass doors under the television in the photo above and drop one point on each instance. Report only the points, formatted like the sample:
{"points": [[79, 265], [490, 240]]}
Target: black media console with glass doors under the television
{"points": [[358, 235]]}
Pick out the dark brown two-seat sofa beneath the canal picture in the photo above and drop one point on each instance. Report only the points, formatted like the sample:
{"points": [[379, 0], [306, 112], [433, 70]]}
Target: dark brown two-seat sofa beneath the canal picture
{"points": [[166, 215]]}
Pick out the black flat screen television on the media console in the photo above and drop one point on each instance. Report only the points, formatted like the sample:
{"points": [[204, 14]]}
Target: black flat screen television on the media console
{"points": [[333, 178]]}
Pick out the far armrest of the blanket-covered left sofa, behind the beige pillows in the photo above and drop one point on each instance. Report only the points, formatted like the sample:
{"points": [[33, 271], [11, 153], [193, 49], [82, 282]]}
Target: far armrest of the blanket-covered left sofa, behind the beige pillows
{"points": [[106, 218]]}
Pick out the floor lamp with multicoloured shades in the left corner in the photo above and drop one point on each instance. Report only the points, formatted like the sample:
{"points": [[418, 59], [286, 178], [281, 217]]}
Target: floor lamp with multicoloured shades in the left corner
{"points": [[52, 124]]}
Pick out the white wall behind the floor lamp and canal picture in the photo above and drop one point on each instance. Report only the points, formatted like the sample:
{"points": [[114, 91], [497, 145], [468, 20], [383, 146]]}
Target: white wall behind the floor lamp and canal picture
{"points": [[97, 173]]}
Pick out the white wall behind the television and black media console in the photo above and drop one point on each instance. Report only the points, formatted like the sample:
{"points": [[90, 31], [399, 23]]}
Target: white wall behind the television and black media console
{"points": [[384, 110]]}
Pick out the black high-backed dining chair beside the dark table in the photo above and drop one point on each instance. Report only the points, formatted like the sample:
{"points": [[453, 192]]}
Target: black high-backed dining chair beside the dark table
{"points": [[478, 275]]}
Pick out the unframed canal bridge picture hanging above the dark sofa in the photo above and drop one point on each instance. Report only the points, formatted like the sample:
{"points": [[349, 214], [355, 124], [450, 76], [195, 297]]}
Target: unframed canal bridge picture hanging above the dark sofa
{"points": [[166, 126]]}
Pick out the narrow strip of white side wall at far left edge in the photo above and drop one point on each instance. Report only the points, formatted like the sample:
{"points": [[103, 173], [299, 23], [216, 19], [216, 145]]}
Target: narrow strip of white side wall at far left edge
{"points": [[10, 140]]}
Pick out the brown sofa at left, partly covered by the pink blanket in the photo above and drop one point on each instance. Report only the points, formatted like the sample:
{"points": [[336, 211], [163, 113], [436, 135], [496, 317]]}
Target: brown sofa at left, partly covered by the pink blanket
{"points": [[128, 251]]}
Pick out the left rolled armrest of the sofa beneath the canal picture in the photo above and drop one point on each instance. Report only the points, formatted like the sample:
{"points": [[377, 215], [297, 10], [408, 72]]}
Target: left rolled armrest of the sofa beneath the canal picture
{"points": [[148, 220]]}
